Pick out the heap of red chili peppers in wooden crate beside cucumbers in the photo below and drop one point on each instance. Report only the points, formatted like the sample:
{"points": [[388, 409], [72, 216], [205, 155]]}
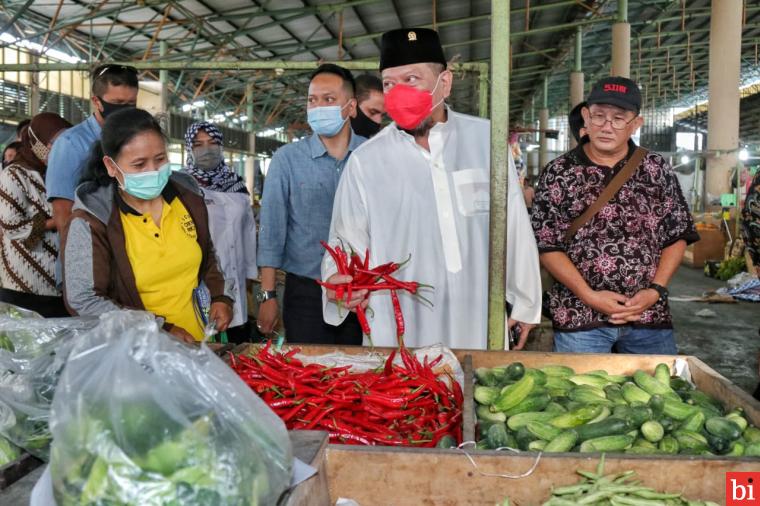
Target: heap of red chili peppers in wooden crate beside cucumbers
{"points": [[407, 405]]}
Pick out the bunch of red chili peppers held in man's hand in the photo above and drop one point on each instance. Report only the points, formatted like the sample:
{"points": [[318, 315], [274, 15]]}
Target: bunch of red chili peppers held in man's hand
{"points": [[364, 278]]}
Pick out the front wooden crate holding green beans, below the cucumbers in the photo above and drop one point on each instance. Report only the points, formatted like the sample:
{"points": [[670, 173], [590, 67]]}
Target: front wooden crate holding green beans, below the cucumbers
{"points": [[382, 476]]}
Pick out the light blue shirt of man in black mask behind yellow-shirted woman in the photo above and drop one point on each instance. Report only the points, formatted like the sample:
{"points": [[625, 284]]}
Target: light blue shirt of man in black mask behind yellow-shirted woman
{"points": [[67, 159]]}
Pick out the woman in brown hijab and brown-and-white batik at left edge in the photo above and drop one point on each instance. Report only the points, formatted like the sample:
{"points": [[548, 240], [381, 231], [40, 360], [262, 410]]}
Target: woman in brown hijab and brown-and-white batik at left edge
{"points": [[29, 246]]}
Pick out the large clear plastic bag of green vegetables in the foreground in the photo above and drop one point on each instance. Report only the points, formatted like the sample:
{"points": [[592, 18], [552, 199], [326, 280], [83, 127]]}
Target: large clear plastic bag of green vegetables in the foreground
{"points": [[140, 418]]}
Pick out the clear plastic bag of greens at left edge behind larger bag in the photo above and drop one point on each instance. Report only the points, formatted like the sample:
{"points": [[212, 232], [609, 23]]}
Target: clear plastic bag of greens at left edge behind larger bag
{"points": [[29, 374]]}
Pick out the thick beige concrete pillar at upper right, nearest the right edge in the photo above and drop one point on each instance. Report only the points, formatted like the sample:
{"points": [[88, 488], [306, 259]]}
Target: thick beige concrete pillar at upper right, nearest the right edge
{"points": [[723, 107]]}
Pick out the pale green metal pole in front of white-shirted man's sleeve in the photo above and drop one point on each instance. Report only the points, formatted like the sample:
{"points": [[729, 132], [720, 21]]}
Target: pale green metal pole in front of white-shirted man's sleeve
{"points": [[497, 254]]}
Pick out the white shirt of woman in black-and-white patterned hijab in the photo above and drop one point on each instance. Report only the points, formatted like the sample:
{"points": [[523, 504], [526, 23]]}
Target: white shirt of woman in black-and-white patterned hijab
{"points": [[233, 231]]}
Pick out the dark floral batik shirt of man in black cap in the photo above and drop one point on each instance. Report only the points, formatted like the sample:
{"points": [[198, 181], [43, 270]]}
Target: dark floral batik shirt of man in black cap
{"points": [[619, 249]]}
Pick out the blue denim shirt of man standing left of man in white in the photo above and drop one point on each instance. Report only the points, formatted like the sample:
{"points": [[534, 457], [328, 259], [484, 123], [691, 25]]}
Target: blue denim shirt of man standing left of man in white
{"points": [[296, 207]]}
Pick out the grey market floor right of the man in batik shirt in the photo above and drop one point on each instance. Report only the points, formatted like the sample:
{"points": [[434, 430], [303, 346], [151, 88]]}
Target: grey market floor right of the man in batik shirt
{"points": [[728, 342]]}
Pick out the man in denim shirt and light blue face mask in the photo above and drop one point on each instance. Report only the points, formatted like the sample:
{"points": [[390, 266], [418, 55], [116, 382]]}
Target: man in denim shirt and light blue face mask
{"points": [[297, 209]]}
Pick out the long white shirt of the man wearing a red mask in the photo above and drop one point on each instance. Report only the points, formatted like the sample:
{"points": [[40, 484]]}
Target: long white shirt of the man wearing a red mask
{"points": [[396, 199]]}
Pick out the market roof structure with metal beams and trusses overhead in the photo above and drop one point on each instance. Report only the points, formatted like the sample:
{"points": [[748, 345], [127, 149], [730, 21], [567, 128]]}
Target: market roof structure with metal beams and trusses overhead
{"points": [[669, 43]]}
